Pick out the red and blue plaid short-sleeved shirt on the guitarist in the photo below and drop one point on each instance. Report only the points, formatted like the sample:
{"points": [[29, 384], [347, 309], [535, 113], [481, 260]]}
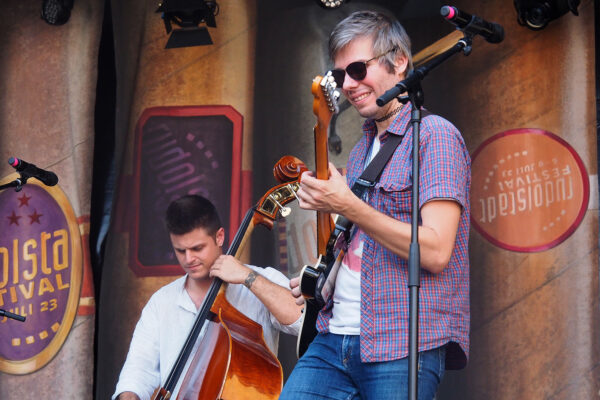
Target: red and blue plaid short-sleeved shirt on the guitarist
{"points": [[444, 297]]}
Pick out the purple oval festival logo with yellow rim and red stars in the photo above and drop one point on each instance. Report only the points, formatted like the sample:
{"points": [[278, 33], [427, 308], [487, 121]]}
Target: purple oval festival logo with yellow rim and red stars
{"points": [[41, 274]]}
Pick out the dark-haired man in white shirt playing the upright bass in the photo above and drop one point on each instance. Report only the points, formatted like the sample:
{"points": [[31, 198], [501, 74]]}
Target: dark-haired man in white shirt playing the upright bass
{"points": [[197, 238]]}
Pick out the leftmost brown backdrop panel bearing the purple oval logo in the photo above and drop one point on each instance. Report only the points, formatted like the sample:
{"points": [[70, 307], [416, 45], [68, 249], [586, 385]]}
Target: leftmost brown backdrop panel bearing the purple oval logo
{"points": [[47, 94]]}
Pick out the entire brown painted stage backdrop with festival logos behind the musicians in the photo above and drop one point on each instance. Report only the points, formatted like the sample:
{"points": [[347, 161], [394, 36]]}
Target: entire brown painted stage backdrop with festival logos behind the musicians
{"points": [[200, 119]]}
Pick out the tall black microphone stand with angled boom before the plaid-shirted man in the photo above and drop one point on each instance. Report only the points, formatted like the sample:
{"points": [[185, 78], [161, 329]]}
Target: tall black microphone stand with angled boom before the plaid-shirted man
{"points": [[412, 86]]}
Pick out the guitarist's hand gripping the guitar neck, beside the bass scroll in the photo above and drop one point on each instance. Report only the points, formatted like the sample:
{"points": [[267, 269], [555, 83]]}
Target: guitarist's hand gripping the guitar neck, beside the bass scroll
{"points": [[330, 196]]}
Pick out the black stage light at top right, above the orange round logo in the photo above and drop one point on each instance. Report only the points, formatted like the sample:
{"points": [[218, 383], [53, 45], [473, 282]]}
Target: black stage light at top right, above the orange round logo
{"points": [[535, 14]]}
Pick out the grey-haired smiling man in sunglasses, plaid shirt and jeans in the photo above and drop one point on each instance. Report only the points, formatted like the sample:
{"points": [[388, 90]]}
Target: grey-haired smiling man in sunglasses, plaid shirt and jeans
{"points": [[361, 350]]}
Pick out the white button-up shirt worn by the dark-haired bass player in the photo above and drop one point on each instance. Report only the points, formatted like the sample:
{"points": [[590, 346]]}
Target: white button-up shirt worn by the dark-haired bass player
{"points": [[166, 321]]}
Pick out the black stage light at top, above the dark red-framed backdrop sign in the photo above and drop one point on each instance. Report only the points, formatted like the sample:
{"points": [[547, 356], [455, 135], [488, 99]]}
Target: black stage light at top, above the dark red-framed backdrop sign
{"points": [[188, 15]]}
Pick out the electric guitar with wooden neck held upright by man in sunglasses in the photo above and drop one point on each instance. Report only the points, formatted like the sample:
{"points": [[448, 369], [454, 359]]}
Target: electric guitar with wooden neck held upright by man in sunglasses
{"points": [[316, 282]]}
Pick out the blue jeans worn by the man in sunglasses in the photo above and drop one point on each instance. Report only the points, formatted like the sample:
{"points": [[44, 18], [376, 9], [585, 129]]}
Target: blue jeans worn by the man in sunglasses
{"points": [[331, 369]]}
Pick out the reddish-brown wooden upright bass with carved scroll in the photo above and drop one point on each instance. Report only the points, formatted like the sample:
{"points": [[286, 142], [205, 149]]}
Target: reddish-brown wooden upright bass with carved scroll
{"points": [[233, 360]]}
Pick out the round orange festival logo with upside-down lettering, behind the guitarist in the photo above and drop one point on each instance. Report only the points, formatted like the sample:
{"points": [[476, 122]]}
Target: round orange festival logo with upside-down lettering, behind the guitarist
{"points": [[529, 190]]}
